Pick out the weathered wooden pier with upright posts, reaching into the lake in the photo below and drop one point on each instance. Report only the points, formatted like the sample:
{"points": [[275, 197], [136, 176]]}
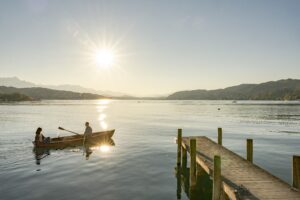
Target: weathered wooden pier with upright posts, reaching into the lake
{"points": [[233, 177]]}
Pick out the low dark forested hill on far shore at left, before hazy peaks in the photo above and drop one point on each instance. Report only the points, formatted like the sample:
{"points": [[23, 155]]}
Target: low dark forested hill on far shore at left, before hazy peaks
{"points": [[37, 93]]}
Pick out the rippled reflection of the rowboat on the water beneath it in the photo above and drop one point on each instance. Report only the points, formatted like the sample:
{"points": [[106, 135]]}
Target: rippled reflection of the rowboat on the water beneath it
{"points": [[88, 148]]}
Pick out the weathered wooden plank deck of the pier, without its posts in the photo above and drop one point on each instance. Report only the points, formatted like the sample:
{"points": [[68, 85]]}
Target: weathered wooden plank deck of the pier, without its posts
{"points": [[241, 179]]}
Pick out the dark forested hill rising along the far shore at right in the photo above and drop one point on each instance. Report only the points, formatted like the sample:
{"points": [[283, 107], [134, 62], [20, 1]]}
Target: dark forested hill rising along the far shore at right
{"points": [[288, 89]]}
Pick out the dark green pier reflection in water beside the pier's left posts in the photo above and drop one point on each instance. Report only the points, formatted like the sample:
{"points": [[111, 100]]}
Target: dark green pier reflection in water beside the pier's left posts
{"points": [[203, 188]]}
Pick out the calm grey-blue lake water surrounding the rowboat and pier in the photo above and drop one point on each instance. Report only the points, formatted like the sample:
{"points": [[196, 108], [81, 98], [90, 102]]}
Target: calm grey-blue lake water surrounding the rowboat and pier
{"points": [[141, 165]]}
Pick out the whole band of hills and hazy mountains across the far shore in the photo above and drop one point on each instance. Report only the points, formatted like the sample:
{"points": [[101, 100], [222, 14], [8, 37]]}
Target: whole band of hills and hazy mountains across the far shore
{"points": [[286, 89]]}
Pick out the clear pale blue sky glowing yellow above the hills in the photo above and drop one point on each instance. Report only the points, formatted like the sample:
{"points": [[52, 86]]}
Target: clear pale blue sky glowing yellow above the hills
{"points": [[159, 47]]}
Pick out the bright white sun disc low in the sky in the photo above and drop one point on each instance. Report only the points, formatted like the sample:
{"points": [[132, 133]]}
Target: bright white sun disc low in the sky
{"points": [[104, 57]]}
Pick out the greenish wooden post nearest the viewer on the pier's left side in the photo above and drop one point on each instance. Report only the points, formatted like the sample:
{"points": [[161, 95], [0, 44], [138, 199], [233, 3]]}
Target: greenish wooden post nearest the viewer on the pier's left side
{"points": [[217, 180]]}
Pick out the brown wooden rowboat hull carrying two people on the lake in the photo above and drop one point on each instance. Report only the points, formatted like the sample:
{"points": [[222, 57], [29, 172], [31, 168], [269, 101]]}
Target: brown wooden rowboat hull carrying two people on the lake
{"points": [[76, 140]]}
